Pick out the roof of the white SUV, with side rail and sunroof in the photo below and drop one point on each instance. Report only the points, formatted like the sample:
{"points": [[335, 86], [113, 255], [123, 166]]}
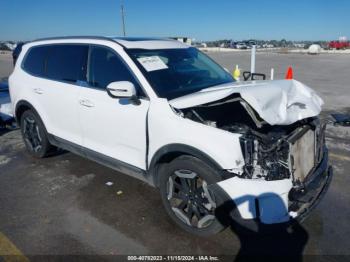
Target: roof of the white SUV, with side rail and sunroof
{"points": [[128, 42]]}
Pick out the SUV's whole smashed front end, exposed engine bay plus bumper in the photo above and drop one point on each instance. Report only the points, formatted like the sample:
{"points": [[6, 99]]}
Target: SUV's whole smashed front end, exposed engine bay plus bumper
{"points": [[285, 168]]}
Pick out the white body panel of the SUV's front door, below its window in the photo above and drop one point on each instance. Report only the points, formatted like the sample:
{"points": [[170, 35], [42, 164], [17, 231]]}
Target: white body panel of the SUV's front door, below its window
{"points": [[113, 126]]}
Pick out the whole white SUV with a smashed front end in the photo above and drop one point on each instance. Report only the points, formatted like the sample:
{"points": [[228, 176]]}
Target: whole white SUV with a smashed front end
{"points": [[164, 112]]}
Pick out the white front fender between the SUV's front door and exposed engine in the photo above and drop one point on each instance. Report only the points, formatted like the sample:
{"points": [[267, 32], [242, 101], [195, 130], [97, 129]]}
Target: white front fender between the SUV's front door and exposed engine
{"points": [[168, 128]]}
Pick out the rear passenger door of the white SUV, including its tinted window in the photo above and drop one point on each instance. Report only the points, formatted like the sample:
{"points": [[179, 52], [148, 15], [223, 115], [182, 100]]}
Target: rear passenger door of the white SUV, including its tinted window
{"points": [[65, 68]]}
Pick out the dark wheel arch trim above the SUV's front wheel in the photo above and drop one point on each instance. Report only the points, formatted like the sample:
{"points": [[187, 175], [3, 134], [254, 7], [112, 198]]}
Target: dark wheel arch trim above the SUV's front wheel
{"points": [[169, 152]]}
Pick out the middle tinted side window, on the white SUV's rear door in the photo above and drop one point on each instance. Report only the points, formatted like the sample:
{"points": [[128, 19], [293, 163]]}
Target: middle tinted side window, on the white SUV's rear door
{"points": [[66, 62]]}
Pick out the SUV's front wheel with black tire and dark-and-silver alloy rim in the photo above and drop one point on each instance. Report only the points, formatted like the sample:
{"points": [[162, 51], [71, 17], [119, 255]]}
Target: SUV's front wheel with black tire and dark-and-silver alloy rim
{"points": [[185, 195]]}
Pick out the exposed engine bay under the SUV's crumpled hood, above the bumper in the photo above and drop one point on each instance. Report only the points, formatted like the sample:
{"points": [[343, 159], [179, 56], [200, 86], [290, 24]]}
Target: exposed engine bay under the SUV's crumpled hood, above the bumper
{"points": [[269, 151]]}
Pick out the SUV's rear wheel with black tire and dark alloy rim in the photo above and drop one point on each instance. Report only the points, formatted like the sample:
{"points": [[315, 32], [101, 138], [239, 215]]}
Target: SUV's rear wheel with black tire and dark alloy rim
{"points": [[35, 135]]}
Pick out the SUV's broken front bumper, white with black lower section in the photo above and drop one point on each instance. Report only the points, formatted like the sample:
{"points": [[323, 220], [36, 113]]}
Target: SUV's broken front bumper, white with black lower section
{"points": [[274, 202]]}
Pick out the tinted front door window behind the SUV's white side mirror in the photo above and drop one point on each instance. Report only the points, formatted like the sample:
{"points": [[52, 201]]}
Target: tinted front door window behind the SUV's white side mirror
{"points": [[106, 67]]}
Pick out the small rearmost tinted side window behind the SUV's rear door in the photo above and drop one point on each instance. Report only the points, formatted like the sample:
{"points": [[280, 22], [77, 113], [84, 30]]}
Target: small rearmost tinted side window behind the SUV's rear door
{"points": [[34, 62]]}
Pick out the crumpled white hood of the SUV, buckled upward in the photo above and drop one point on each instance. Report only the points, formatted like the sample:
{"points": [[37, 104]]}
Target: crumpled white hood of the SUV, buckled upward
{"points": [[278, 102]]}
